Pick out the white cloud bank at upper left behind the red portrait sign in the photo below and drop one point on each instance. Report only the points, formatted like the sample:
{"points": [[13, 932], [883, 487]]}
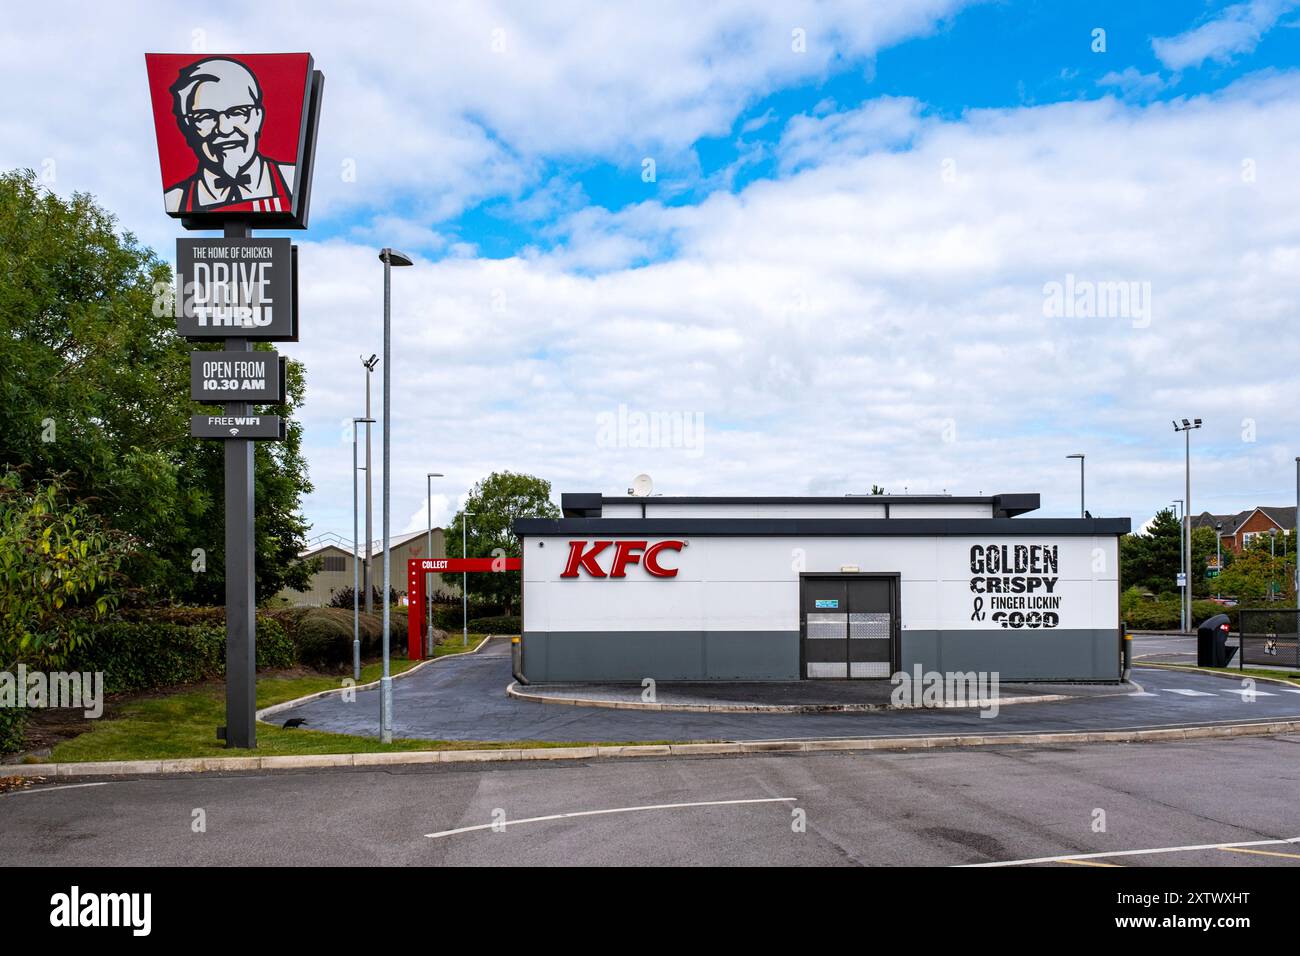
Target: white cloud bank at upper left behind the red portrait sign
{"points": [[422, 102]]}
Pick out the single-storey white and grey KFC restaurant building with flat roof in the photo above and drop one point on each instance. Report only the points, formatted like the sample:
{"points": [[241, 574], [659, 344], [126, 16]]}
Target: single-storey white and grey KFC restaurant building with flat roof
{"points": [[626, 589]]}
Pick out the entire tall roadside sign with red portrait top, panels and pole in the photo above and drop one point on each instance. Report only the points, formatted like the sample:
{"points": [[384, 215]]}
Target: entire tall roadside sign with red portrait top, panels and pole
{"points": [[237, 144]]}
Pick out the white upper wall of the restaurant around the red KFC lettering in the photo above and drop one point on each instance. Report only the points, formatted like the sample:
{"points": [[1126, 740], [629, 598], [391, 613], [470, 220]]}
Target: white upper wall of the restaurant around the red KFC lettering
{"points": [[753, 583]]}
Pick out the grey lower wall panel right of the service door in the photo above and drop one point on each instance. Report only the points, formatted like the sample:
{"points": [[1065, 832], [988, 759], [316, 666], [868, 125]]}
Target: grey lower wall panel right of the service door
{"points": [[1029, 655]]}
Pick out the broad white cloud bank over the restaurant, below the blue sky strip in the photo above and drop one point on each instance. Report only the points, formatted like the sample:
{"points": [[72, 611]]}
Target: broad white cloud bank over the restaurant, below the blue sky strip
{"points": [[866, 321]]}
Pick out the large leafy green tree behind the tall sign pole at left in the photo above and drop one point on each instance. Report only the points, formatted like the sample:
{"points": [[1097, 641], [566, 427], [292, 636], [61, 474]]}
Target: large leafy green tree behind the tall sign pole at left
{"points": [[94, 386]]}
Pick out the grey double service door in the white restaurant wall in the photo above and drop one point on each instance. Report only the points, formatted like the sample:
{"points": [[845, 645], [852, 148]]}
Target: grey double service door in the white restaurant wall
{"points": [[848, 626]]}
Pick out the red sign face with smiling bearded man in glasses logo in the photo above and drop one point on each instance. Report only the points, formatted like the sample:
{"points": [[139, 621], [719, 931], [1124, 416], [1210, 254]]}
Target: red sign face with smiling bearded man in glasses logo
{"points": [[232, 132]]}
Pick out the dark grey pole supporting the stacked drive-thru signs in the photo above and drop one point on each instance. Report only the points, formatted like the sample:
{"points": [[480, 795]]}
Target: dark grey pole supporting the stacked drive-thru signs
{"points": [[241, 585]]}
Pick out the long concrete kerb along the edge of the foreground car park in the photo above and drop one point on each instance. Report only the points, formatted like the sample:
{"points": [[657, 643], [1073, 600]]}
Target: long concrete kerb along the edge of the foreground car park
{"points": [[144, 768]]}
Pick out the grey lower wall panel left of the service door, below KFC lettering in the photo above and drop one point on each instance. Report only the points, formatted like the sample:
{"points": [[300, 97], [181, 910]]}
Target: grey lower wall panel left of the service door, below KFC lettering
{"points": [[661, 655]]}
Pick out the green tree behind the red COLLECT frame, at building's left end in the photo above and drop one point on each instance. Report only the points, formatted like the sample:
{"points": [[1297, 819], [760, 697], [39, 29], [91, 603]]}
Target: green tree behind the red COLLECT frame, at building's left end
{"points": [[493, 507]]}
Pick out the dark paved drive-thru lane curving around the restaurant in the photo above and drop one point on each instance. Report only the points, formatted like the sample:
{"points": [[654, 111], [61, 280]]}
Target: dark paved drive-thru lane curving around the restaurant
{"points": [[465, 699]]}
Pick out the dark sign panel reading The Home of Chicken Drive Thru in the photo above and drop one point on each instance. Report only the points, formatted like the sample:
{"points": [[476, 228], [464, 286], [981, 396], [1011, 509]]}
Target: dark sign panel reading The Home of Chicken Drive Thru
{"points": [[237, 289]]}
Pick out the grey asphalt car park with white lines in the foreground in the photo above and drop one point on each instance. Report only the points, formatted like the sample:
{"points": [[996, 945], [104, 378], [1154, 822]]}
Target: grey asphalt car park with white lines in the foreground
{"points": [[1194, 803]]}
